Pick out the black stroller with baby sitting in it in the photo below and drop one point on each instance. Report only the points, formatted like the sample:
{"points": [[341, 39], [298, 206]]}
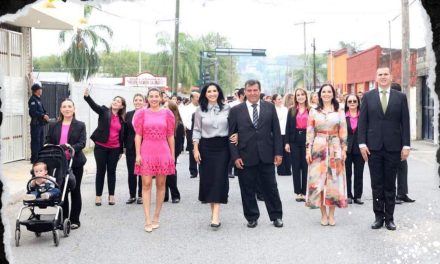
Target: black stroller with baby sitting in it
{"points": [[45, 191]]}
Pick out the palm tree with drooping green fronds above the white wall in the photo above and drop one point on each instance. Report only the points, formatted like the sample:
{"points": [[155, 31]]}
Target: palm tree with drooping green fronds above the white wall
{"points": [[81, 57]]}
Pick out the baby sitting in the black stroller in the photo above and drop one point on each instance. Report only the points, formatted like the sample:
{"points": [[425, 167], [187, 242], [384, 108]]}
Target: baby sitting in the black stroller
{"points": [[43, 186]]}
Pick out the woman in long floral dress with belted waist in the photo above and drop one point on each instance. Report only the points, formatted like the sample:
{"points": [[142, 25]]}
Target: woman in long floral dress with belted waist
{"points": [[326, 154]]}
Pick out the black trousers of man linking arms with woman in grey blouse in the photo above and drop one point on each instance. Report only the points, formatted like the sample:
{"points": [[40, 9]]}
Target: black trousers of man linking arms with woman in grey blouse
{"points": [[265, 174]]}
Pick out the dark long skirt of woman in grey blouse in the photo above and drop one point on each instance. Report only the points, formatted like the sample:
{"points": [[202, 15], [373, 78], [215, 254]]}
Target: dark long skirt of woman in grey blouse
{"points": [[213, 170]]}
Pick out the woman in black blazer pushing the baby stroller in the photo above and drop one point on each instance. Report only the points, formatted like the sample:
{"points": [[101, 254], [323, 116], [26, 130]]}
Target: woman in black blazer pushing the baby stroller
{"points": [[69, 131]]}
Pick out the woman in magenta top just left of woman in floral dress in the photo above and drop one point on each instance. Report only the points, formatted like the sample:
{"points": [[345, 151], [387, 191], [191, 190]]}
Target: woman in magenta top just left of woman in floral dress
{"points": [[295, 142]]}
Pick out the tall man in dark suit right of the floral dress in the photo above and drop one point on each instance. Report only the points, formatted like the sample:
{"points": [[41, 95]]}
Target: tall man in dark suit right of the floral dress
{"points": [[384, 141]]}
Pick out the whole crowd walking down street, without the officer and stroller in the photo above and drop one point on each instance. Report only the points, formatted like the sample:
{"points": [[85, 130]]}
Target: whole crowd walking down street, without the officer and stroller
{"points": [[318, 141]]}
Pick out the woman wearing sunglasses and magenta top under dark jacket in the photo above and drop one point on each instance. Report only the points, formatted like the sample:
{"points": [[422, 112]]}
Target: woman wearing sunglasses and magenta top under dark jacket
{"points": [[354, 157]]}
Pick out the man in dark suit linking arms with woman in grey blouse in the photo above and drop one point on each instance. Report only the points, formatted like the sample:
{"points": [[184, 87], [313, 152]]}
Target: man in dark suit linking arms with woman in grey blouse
{"points": [[259, 149]]}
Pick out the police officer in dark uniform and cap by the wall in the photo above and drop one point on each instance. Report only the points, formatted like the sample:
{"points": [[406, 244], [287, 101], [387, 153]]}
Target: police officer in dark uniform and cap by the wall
{"points": [[39, 118]]}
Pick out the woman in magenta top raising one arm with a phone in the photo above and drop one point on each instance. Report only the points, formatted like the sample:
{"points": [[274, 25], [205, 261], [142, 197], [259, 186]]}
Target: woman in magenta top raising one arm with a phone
{"points": [[108, 138]]}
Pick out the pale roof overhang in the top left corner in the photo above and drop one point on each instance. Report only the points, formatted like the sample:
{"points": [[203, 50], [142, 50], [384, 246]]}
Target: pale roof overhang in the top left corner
{"points": [[38, 15]]}
